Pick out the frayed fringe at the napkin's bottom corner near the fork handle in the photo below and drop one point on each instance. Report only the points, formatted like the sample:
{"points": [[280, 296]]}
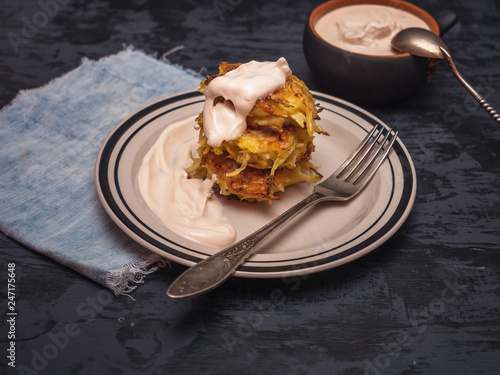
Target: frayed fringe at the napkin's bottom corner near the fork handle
{"points": [[124, 280]]}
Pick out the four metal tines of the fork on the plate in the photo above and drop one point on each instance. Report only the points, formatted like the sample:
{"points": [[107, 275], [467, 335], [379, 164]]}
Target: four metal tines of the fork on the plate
{"points": [[365, 160]]}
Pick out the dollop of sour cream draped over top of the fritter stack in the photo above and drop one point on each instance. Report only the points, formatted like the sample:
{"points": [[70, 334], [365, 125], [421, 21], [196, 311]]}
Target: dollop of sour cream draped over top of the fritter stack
{"points": [[240, 88]]}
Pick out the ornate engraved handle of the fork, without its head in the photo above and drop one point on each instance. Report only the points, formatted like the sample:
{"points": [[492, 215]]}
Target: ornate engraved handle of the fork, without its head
{"points": [[215, 269]]}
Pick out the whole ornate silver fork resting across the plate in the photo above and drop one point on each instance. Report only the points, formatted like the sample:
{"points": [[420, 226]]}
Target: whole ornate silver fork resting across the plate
{"points": [[345, 183]]}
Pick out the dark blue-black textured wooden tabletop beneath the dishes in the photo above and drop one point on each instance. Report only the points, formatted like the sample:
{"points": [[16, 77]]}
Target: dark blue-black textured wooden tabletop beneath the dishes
{"points": [[426, 302]]}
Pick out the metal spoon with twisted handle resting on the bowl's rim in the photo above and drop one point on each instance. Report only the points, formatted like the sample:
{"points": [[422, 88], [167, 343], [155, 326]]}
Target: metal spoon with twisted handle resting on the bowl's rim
{"points": [[422, 42]]}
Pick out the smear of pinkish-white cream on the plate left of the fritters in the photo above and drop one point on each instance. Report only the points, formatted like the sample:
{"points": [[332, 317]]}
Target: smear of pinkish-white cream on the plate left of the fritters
{"points": [[185, 206]]}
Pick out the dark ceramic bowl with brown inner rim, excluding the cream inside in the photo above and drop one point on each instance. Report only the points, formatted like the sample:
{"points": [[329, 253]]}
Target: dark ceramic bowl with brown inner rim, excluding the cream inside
{"points": [[366, 78]]}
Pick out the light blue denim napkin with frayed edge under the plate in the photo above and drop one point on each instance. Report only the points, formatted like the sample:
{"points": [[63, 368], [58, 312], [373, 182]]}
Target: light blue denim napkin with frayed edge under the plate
{"points": [[49, 141]]}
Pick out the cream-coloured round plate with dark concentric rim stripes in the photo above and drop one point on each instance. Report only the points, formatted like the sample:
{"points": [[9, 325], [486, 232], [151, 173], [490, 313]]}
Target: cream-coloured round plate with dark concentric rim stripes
{"points": [[327, 235]]}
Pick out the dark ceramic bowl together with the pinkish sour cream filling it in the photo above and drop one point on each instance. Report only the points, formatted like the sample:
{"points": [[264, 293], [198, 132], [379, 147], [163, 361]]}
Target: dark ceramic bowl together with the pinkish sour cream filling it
{"points": [[347, 45]]}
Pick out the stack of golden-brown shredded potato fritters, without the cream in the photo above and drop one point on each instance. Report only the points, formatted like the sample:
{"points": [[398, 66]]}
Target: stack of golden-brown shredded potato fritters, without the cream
{"points": [[272, 153]]}
